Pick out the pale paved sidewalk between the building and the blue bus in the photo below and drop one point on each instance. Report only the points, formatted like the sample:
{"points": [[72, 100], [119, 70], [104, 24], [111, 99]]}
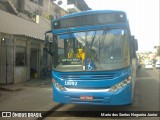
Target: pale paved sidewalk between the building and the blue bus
{"points": [[32, 95]]}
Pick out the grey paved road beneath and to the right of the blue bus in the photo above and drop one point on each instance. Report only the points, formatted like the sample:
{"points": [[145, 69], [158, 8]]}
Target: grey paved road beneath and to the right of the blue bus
{"points": [[146, 98]]}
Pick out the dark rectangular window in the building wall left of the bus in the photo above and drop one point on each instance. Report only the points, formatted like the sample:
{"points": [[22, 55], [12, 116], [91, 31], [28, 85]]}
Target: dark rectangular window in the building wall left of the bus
{"points": [[20, 56]]}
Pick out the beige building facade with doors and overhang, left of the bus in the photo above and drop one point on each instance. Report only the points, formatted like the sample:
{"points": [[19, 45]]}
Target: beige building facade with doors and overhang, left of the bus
{"points": [[22, 54]]}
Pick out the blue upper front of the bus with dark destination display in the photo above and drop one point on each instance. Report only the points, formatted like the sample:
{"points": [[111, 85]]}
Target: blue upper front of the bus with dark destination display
{"points": [[90, 20]]}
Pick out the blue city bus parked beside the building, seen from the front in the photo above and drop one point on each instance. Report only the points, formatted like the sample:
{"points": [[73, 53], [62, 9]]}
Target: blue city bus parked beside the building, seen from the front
{"points": [[93, 58]]}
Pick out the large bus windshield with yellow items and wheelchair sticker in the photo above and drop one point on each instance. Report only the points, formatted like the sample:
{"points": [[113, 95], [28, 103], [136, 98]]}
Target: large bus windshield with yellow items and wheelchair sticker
{"points": [[98, 50]]}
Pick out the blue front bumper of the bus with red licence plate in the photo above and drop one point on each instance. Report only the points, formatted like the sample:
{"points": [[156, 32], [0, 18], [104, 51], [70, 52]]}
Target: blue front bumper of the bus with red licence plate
{"points": [[121, 97]]}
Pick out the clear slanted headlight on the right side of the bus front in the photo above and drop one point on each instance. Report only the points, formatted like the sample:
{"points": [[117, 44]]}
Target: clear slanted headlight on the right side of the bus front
{"points": [[120, 85]]}
